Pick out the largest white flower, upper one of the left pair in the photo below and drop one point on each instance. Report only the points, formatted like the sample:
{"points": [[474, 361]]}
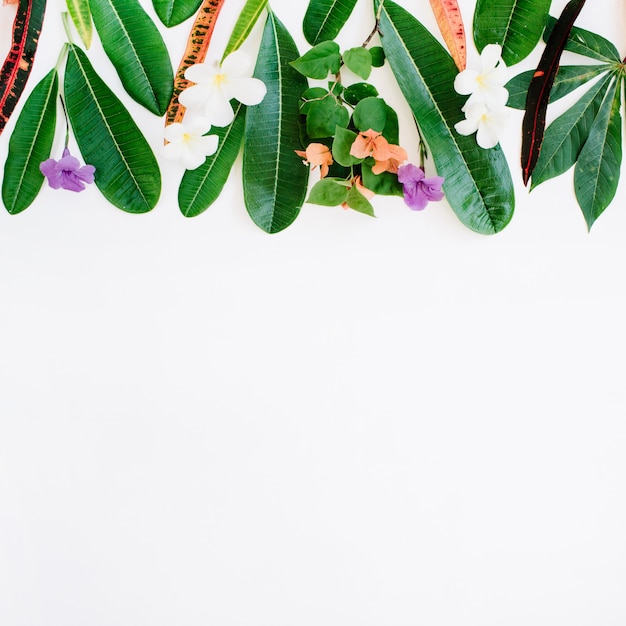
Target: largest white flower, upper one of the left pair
{"points": [[215, 86]]}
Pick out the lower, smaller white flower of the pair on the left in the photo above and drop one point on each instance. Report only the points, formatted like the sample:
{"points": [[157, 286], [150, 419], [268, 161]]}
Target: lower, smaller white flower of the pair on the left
{"points": [[189, 143]]}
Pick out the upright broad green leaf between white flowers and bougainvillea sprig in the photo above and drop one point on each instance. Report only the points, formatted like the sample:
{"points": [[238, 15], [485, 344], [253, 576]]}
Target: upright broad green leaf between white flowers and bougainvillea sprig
{"points": [[274, 178]]}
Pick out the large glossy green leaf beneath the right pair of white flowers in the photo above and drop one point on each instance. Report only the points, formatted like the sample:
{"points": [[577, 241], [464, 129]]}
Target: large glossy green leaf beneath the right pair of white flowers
{"points": [[478, 182]]}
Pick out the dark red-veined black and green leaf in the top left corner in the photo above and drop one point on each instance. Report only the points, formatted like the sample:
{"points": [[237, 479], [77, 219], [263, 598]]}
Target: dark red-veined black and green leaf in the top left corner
{"points": [[19, 61]]}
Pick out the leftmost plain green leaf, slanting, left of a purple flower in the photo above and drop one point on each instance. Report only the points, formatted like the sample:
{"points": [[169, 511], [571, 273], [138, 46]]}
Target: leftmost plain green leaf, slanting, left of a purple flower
{"points": [[30, 144]]}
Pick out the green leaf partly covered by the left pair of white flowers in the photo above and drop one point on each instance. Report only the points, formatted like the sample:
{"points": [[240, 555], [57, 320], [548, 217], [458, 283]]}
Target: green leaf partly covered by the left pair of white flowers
{"points": [[199, 188]]}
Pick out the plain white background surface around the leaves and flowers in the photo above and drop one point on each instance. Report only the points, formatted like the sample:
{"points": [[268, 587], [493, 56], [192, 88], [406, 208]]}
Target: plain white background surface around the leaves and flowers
{"points": [[353, 422]]}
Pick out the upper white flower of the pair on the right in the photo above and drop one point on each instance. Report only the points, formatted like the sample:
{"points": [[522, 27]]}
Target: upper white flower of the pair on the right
{"points": [[488, 84]]}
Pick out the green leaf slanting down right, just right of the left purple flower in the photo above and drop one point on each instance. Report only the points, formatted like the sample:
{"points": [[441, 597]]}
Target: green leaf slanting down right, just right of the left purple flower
{"points": [[126, 171]]}
